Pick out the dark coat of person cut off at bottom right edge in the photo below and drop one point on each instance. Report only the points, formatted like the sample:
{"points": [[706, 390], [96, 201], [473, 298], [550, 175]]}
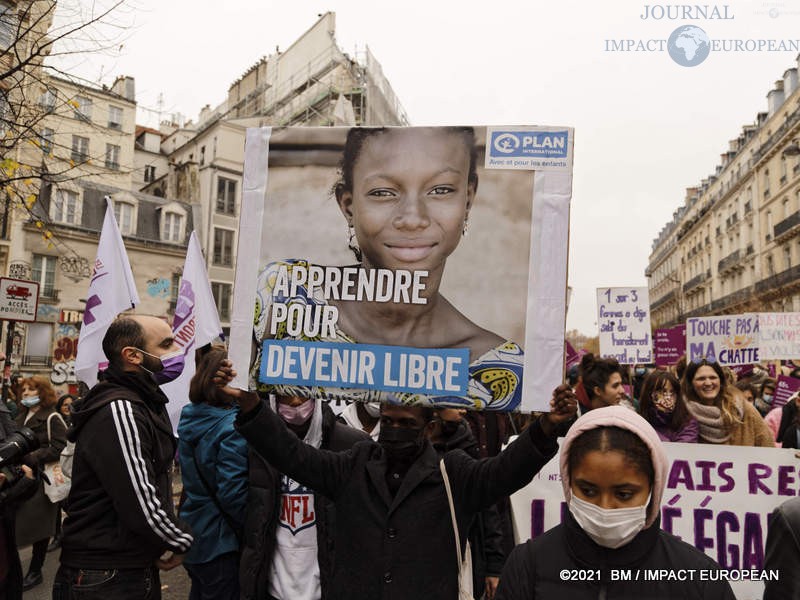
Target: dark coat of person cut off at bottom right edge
{"points": [[783, 552]]}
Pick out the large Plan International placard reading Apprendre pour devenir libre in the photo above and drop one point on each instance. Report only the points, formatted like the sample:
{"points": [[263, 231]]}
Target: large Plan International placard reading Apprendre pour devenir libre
{"points": [[414, 265]]}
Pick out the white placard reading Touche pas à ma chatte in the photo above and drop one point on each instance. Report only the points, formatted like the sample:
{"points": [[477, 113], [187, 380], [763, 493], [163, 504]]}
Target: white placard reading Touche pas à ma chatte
{"points": [[728, 340]]}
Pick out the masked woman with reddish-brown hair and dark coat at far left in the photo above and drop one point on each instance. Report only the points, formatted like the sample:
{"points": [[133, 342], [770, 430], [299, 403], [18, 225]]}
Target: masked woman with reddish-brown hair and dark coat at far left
{"points": [[36, 519]]}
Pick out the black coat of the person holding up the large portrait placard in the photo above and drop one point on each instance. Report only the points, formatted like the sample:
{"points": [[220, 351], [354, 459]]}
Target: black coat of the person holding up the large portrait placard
{"points": [[399, 547]]}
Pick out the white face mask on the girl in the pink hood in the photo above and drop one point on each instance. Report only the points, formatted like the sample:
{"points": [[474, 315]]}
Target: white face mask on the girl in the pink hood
{"points": [[609, 527]]}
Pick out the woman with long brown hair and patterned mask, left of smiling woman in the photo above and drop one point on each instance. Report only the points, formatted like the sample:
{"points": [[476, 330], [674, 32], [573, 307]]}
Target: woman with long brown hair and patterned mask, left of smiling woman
{"points": [[662, 405]]}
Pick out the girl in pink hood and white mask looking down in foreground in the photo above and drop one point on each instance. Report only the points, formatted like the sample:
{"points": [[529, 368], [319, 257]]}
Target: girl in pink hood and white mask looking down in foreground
{"points": [[614, 471]]}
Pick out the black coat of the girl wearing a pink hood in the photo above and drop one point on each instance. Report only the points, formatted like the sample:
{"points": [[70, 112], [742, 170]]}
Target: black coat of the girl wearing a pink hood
{"points": [[535, 569]]}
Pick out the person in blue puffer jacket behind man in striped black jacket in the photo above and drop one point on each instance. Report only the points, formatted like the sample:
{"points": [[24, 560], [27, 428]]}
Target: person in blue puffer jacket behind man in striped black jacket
{"points": [[213, 458]]}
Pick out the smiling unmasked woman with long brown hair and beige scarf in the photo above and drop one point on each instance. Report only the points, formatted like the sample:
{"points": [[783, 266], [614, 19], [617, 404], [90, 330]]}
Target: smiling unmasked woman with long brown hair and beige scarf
{"points": [[723, 415]]}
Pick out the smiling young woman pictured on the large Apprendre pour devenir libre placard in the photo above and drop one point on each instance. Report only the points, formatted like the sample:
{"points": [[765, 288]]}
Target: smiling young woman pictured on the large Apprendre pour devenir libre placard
{"points": [[406, 196]]}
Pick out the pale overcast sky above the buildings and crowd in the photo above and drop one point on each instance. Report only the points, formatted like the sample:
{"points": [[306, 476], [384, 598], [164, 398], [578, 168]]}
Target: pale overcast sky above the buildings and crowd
{"points": [[645, 127]]}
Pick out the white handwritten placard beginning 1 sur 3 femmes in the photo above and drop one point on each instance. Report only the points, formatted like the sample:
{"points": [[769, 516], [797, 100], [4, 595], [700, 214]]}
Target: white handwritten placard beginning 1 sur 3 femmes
{"points": [[623, 319]]}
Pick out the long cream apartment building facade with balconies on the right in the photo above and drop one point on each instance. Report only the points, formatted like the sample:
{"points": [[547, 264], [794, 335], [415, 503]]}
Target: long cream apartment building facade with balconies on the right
{"points": [[734, 244]]}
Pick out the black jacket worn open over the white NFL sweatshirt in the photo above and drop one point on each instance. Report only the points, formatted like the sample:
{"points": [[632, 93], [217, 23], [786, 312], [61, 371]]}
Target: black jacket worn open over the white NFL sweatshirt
{"points": [[263, 510]]}
